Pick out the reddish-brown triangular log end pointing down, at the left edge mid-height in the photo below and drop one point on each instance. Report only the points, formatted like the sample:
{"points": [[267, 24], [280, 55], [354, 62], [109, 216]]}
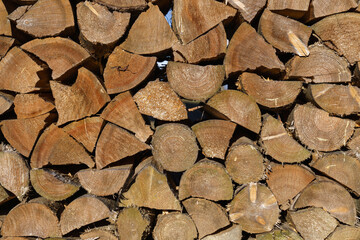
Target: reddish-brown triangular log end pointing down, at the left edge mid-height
{"points": [[22, 133]]}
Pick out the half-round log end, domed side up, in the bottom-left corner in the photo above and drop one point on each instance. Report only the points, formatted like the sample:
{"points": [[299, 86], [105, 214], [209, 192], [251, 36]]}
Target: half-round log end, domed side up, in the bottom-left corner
{"points": [[31, 219]]}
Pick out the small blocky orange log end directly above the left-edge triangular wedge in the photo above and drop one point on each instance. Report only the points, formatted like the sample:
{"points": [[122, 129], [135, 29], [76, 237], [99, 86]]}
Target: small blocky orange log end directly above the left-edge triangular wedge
{"points": [[32, 105]]}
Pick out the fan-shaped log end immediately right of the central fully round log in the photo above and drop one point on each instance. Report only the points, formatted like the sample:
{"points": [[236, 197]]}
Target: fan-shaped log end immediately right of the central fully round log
{"points": [[214, 136]]}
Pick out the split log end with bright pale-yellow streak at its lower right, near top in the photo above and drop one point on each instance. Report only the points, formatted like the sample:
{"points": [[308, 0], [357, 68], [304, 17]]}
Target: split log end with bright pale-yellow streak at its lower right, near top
{"points": [[285, 34]]}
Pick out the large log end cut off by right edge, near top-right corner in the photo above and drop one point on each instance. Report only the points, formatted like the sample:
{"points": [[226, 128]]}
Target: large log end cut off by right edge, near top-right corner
{"points": [[341, 31]]}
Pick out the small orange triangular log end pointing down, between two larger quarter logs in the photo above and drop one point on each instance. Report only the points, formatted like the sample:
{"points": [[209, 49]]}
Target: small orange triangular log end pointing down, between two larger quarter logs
{"points": [[85, 131]]}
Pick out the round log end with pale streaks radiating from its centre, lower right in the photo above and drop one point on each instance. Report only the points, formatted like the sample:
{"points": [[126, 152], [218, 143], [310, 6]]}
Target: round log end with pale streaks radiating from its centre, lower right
{"points": [[254, 208]]}
